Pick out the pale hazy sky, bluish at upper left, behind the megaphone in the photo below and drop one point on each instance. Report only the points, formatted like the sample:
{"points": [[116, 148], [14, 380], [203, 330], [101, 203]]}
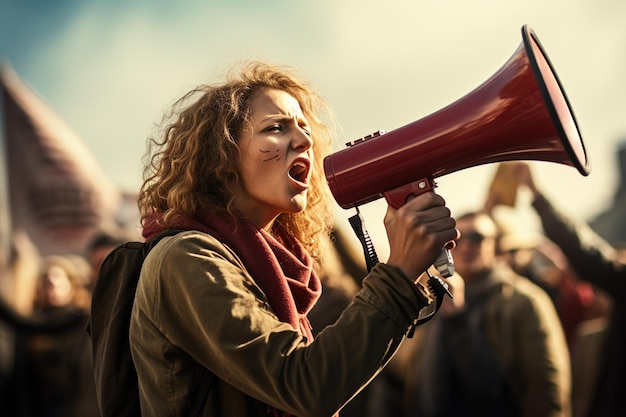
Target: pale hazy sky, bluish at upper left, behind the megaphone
{"points": [[111, 68]]}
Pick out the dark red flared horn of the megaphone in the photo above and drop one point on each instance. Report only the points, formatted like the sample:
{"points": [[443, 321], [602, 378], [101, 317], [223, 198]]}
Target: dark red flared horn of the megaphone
{"points": [[520, 113]]}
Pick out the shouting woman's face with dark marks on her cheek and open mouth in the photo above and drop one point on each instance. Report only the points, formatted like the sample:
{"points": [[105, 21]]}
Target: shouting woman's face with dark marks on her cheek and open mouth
{"points": [[276, 158]]}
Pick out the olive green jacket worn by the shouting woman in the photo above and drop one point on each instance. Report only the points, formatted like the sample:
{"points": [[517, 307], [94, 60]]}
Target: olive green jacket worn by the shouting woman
{"points": [[197, 308]]}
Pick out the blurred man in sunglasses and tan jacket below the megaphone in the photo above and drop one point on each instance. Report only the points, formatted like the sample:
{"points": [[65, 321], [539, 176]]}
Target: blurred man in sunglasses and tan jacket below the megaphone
{"points": [[497, 348]]}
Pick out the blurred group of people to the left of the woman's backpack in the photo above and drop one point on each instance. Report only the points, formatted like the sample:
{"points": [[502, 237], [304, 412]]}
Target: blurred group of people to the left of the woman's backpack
{"points": [[45, 351]]}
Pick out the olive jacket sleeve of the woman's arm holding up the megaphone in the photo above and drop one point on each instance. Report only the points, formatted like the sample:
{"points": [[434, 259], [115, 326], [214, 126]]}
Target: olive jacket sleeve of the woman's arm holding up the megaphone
{"points": [[207, 305]]}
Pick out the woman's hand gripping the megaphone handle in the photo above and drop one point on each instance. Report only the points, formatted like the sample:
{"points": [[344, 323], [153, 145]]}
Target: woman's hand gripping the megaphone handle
{"points": [[418, 231]]}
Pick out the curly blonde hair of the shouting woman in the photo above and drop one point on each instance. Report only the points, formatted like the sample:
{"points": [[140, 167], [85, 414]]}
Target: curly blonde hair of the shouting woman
{"points": [[190, 171]]}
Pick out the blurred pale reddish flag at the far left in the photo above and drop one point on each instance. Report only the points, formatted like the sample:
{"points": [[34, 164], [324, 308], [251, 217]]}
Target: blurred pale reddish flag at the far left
{"points": [[57, 191]]}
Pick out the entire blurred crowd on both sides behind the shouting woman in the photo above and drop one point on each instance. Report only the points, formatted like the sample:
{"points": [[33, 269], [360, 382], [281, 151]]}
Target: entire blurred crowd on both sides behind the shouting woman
{"points": [[535, 327]]}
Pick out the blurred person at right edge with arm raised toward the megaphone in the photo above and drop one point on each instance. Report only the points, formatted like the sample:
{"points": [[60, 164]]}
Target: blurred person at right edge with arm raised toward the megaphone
{"points": [[598, 262]]}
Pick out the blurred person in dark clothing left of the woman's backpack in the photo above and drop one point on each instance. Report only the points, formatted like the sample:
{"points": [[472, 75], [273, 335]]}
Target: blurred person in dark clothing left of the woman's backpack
{"points": [[52, 371]]}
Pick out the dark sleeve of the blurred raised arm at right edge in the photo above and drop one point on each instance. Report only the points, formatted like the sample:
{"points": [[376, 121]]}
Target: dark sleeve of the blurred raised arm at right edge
{"points": [[592, 258]]}
